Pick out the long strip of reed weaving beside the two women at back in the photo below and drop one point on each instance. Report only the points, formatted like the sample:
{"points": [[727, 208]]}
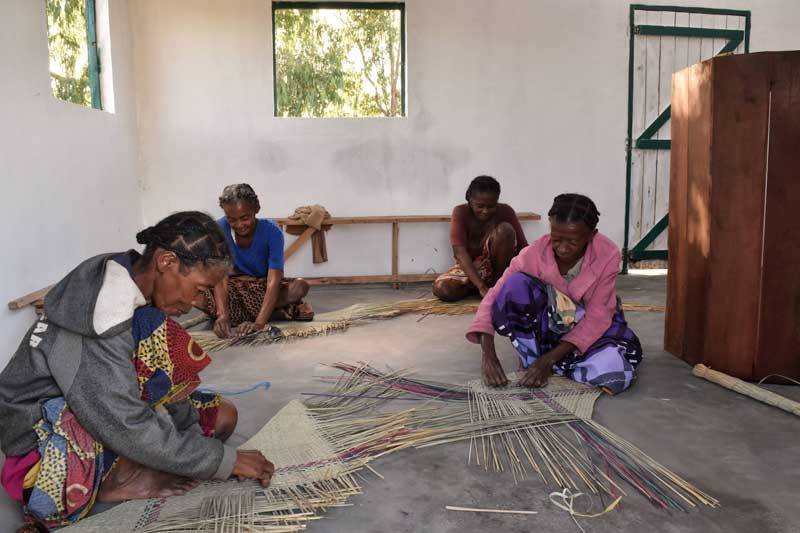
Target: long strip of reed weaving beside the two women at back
{"points": [[342, 319]]}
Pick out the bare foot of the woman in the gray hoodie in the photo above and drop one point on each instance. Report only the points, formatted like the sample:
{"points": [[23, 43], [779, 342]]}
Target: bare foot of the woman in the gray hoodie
{"points": [[132, 481]]}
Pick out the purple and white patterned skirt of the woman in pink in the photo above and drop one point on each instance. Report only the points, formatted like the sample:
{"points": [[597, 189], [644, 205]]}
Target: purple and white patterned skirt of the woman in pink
{"points": [[523, 312]]}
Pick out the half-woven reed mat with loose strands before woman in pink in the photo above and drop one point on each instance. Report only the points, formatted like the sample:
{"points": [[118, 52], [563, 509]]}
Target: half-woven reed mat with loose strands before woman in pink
{"points": [[547, 432]]}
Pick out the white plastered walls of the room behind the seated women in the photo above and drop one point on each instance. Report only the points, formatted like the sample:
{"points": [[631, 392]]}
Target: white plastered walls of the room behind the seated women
{"points": [[533, 92]]}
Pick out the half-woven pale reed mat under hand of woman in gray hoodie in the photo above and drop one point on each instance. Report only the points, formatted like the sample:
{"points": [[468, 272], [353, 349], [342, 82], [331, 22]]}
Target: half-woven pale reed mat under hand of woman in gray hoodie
{"points": [[309, 478]]}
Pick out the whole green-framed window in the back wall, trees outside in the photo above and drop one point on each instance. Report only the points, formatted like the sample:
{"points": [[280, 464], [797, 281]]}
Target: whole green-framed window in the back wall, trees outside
{"points": [[338, 59]]}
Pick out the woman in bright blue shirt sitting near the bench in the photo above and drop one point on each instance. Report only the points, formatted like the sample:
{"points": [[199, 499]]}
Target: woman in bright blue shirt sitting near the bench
{"points": [[256, 292]]}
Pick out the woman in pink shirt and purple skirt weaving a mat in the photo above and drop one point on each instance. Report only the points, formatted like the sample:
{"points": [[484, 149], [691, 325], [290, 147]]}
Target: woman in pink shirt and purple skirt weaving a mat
{"points": [[557, 303]]}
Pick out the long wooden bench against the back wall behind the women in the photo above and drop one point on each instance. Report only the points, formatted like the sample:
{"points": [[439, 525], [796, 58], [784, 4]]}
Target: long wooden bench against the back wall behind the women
{"points": [[395, 277]]}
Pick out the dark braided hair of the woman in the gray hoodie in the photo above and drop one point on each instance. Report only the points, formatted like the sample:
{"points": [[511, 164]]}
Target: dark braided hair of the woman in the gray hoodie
{"points": [[191, 235]]}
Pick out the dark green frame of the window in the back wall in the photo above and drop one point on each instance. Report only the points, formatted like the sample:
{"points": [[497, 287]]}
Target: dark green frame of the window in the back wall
{"points": [[385, 6]]}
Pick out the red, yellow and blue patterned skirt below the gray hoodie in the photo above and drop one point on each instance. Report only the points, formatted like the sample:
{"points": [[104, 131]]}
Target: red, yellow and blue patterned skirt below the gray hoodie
{"points": [[58, 481]]}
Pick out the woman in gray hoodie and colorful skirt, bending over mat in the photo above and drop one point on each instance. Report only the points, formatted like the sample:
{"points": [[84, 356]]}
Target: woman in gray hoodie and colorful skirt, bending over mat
{"points": [[99, 401]]}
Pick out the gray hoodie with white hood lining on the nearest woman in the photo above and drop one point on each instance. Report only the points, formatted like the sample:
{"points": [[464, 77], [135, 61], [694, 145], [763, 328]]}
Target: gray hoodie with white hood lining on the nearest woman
{"points": [[82, 349]]}
